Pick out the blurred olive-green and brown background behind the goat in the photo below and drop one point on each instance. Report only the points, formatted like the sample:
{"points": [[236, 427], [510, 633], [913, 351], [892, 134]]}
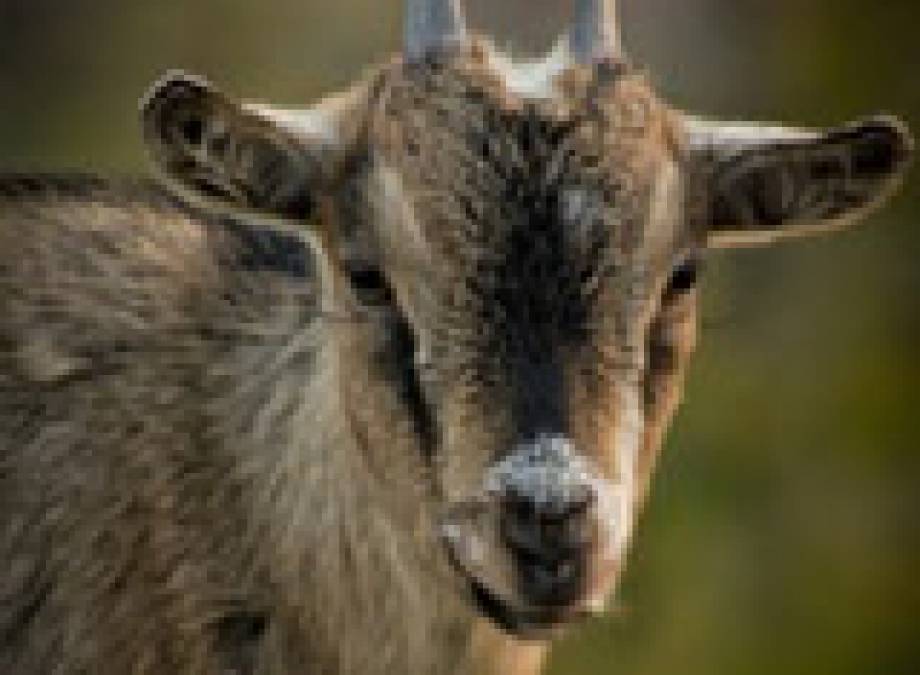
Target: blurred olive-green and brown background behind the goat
{"points": [[783, 535]]}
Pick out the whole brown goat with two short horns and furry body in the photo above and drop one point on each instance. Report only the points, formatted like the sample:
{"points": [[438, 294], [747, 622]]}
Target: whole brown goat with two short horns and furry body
{"points": [[376, 386]]}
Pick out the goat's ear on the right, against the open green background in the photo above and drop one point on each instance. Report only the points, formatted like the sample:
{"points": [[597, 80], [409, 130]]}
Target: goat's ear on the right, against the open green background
{"points": [[760, 184]]}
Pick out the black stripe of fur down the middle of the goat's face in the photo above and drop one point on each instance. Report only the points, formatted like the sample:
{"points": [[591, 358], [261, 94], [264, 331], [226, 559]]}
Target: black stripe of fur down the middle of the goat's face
{"points": [[529, 283]]}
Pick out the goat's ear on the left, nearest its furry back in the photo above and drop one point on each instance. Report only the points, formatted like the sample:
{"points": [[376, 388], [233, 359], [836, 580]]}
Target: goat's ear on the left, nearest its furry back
{"points": [[243, 156]]}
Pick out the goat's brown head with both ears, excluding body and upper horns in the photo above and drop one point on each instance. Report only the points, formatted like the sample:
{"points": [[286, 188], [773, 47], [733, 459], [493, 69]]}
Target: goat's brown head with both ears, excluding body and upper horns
{"points": [[512, 253]]}
